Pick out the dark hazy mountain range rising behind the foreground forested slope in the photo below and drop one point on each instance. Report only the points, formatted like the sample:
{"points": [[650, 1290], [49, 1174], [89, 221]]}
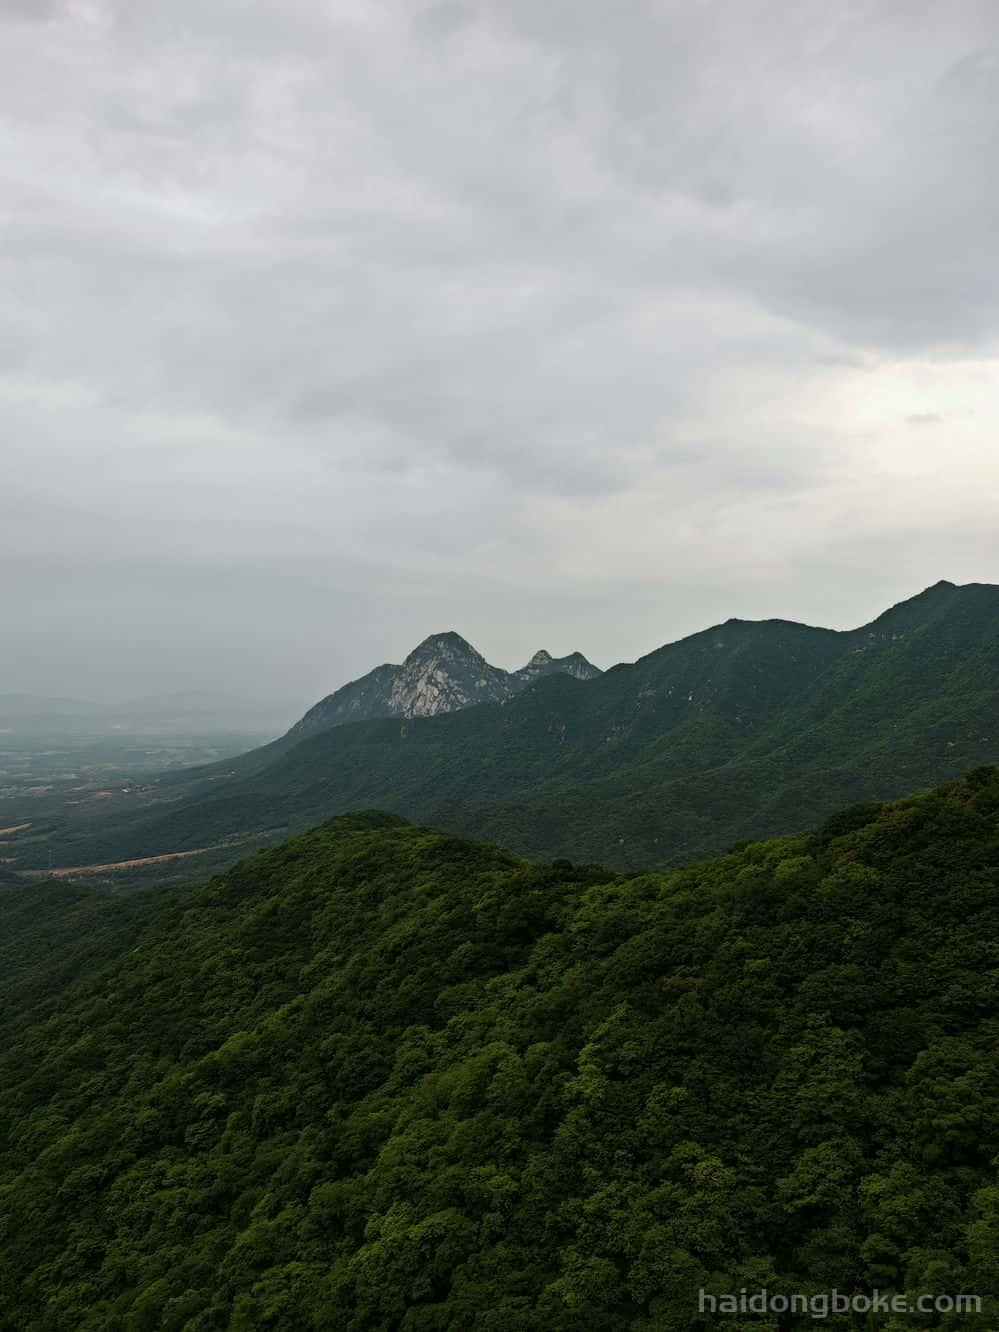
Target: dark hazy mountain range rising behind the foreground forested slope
{"points": [[744, 731]]}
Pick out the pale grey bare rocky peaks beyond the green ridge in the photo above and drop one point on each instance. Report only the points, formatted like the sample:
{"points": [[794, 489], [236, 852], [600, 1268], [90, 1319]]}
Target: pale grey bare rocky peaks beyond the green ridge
{"points": [[443, 675]]}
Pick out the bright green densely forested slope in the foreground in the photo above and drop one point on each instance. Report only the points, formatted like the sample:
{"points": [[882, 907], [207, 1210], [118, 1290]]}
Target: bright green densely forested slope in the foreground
{"points": [[383, 1078]]}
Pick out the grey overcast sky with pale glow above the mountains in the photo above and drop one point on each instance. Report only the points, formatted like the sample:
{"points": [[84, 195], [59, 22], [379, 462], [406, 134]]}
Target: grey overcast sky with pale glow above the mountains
{"points": [[579, 324]]}
